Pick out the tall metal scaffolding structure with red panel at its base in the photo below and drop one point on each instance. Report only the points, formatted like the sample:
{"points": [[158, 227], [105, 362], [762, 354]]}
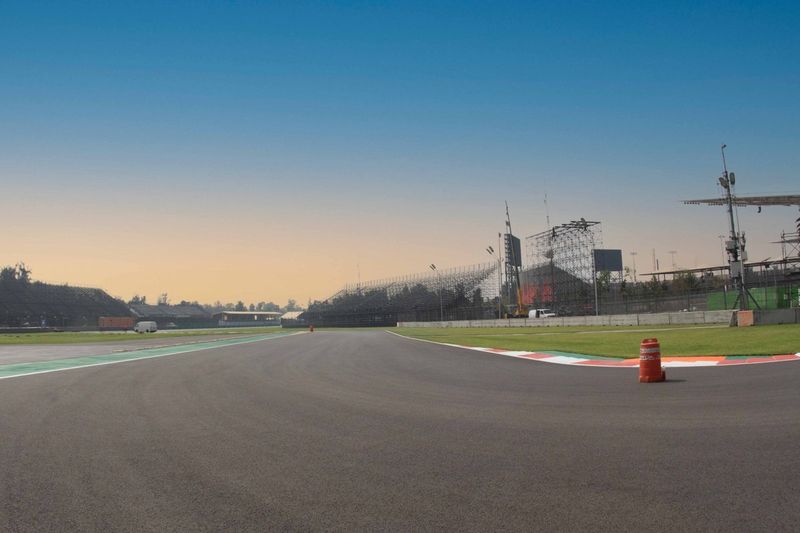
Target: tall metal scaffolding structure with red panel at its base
{"points": [[560, 270]]}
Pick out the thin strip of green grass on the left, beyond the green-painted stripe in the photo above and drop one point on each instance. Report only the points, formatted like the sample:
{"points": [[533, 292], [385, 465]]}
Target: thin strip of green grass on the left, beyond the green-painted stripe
{"points": [[117, 336]]}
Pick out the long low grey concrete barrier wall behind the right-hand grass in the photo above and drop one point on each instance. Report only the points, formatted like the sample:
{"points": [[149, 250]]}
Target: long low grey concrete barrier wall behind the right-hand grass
{"points": [[654, 319]]}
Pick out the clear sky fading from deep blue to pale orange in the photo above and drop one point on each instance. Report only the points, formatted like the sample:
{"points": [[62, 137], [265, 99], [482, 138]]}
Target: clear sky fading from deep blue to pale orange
{"points": [[266, 151]]}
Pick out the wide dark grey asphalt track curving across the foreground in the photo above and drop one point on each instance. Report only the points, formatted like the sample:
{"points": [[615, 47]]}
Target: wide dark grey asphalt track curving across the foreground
{"points": [[364, 430]]}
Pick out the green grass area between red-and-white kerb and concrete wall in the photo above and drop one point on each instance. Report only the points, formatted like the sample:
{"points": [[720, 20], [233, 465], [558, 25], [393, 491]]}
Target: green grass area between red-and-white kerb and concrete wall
{"points": [[623, 341]]}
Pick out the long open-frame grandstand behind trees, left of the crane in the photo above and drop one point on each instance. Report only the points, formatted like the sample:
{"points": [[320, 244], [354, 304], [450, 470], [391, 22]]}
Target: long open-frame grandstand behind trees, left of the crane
{"points": [[467, 292]]}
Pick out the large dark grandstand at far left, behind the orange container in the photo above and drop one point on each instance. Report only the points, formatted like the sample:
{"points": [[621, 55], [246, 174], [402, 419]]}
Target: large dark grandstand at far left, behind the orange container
{"points": [[35, 304]]}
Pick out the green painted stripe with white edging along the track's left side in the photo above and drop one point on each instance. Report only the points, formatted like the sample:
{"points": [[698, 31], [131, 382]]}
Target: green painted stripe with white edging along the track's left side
{"points": [[41, 367]]}
